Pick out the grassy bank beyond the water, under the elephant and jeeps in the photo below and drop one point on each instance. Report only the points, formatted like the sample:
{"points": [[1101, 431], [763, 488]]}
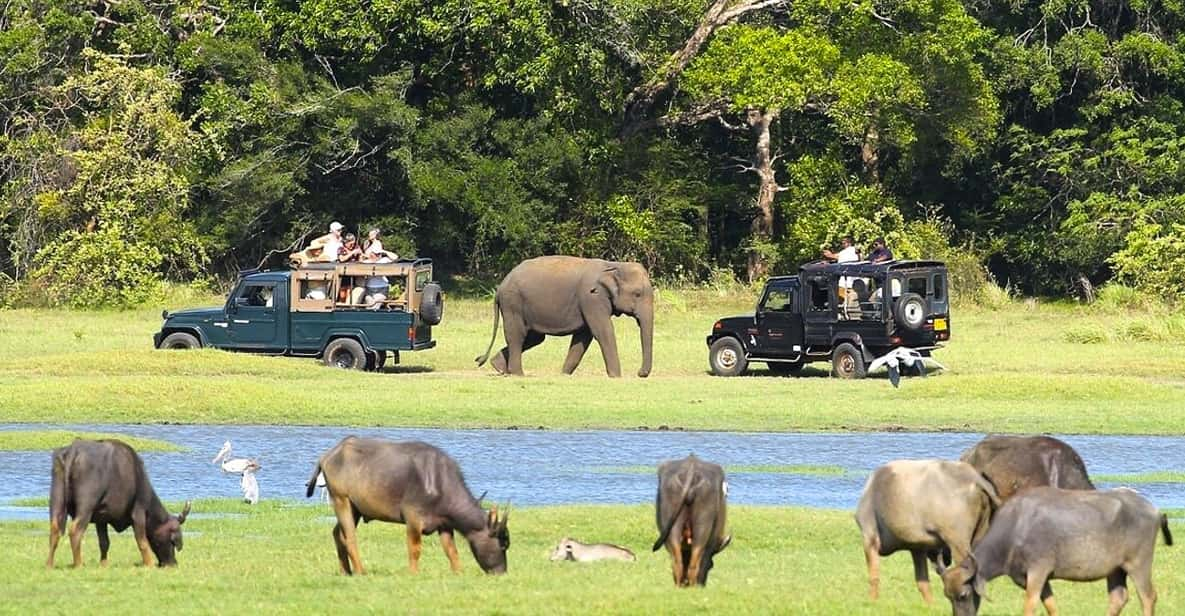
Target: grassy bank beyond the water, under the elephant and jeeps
{"points": [[1021, 369]]}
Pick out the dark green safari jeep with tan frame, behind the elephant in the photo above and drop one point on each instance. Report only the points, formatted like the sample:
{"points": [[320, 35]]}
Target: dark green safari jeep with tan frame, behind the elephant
{"points": [[319, 311]]}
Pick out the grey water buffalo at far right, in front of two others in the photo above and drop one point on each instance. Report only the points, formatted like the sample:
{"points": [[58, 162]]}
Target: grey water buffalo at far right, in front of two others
{"points": [[1051, 534]]}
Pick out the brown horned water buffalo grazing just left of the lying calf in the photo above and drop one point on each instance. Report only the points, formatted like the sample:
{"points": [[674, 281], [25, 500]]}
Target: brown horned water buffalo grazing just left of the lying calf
{"points": [[412, 484]]}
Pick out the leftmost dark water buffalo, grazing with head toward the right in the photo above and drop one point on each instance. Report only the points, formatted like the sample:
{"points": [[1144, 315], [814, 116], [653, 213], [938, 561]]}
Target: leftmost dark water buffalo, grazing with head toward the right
{"points": [[105, 483]]}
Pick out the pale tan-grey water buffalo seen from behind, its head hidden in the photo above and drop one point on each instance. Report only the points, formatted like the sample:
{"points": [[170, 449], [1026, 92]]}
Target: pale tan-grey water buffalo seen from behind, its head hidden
{"points": [[925, 506]]}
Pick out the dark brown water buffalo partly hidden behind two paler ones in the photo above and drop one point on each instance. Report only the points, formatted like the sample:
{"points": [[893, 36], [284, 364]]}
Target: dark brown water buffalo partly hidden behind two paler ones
{"points": [[1014, 464]]}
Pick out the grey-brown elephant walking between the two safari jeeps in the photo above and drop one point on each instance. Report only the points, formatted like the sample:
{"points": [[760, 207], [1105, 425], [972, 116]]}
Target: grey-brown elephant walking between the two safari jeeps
{"points": [[561, 296]]}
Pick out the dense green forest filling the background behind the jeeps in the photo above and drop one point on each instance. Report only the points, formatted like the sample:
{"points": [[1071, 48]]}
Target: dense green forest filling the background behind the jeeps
{"points": [[149, 142]]}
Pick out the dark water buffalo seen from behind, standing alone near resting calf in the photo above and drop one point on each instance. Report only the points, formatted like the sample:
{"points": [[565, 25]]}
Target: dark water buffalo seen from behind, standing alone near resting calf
{"points": [[691, 512]]}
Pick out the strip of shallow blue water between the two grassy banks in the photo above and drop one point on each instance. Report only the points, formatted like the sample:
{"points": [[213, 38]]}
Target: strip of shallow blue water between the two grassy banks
{"points": [[533, 467]]}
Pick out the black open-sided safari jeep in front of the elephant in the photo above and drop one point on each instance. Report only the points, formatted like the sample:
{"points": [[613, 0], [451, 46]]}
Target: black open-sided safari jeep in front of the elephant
{"points": [[837, 312]]}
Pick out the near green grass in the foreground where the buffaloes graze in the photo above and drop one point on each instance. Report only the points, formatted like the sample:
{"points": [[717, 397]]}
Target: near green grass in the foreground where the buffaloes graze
{"points": [[280, 559]]}
